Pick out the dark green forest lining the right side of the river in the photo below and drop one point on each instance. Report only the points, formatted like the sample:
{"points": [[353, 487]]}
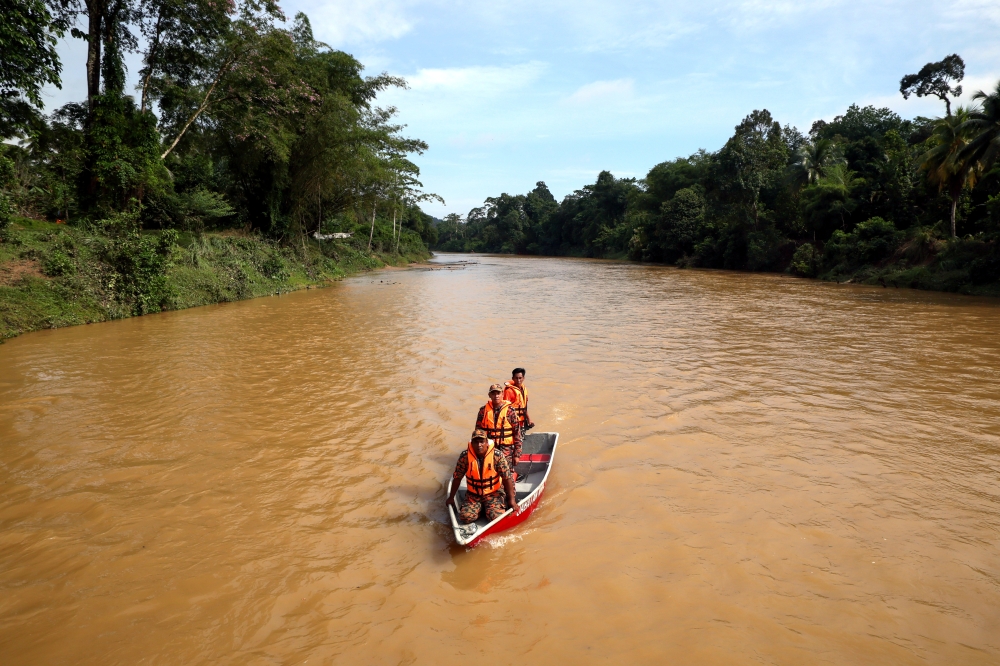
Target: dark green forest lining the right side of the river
{"points": [[867, 197]]}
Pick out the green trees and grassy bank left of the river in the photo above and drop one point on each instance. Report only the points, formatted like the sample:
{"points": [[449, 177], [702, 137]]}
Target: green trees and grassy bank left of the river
{"points": [[241, 124]]}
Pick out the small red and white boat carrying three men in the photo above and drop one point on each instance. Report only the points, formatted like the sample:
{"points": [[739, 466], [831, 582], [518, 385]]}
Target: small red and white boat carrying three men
{"points": [[537, 454]]}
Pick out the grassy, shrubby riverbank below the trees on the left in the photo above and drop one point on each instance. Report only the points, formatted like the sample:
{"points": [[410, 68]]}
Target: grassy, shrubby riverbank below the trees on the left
{"points": [[57, 275]]}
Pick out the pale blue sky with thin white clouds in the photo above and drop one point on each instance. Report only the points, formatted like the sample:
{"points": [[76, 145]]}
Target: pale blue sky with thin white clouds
{"points": [[511, 92]]}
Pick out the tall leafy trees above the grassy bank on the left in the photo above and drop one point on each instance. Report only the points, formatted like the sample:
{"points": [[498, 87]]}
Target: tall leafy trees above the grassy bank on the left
{"points": [[239, 119]]}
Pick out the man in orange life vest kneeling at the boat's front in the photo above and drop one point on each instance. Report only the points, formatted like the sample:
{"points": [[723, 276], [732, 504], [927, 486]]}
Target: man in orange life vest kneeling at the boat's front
{"points": [[489, 487]]}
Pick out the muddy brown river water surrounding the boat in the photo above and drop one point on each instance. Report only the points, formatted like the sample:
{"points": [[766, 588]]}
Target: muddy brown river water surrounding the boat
{"points": [[751, 469]]}
